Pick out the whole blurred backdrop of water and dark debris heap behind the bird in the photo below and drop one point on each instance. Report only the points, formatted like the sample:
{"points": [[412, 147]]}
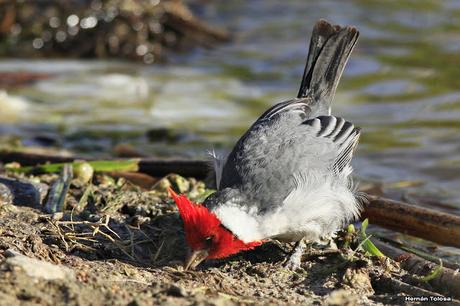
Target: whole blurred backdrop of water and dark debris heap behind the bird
{"points": [[174, 79]]}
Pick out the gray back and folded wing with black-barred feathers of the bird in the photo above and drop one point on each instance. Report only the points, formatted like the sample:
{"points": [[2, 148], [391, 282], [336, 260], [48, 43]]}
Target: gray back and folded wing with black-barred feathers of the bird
{"points": [[264, 163]]}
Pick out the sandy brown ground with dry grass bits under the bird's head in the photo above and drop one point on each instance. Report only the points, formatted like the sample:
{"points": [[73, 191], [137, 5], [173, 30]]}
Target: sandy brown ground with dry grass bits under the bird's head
{"points": [[117, 244]]}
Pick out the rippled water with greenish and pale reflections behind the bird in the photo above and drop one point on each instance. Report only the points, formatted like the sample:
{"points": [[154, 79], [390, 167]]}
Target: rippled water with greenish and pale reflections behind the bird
{"points": [[402, 86]]}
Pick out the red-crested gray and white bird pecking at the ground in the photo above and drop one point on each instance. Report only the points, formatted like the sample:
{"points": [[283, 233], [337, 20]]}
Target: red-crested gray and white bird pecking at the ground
{"points": [[288, 178]]}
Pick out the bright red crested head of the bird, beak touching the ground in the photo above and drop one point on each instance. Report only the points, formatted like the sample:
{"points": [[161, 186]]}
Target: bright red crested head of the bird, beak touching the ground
{"points": [[205, 235]]}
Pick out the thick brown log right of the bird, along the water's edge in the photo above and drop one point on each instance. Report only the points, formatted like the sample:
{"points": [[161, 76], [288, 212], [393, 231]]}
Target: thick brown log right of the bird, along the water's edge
{"points": [[425, 223]]}
